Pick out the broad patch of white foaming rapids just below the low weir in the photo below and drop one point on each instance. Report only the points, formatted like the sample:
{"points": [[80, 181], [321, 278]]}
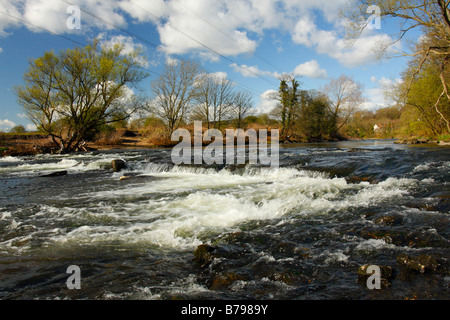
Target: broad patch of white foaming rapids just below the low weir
{"points": [[195, 203]]}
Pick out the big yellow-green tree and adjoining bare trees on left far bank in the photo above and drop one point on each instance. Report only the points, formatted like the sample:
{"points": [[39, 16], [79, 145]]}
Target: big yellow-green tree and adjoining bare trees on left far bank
{"points": [[73, 95]]}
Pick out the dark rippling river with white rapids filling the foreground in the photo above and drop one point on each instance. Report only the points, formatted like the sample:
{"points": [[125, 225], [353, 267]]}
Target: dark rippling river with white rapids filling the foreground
{"points": [[301, 231]]}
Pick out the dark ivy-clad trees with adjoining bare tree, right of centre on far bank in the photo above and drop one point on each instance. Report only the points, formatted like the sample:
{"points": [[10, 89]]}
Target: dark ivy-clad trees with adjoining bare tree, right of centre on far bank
{"points": [[314, 115]]}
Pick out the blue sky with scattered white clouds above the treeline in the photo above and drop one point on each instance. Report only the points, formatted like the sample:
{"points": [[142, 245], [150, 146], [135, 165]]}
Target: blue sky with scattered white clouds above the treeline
{"points": [[257, 40]]}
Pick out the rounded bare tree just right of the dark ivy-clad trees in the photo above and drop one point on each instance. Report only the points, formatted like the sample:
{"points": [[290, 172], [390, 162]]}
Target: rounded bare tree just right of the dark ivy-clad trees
{"points": [[345, 96]]}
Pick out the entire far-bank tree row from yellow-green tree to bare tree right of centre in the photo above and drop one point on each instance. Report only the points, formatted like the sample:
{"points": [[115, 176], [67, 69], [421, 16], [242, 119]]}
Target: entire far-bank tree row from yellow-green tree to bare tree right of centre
{"points": [[74, 95]]}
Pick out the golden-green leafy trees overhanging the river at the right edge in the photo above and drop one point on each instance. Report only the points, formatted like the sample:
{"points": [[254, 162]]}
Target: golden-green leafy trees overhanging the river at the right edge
{"points": [[423, 97]]}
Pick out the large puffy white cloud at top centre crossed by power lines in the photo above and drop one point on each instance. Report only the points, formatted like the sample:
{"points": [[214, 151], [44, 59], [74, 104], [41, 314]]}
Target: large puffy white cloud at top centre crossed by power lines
{"points": [[205, 27]]}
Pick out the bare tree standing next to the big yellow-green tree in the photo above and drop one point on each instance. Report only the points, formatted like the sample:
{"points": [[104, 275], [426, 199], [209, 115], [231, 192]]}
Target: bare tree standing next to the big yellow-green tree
{"points": [[174, 92]]}
